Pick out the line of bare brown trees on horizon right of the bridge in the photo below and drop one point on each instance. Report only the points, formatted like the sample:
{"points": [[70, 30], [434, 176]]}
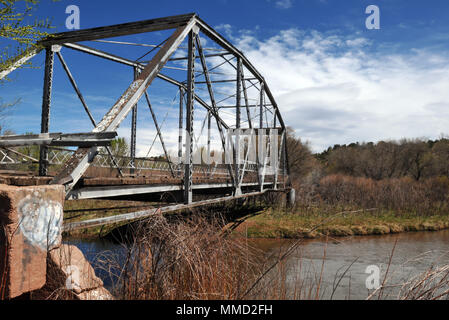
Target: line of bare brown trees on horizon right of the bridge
{"points": [[415, 158]]}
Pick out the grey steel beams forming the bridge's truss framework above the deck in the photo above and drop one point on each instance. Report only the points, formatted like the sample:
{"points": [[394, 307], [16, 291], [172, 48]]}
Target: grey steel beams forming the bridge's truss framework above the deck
{"points": [[186, 27]]}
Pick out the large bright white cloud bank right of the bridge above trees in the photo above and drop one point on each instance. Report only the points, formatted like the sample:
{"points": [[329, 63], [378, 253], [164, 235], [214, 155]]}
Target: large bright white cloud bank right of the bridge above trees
{"points": [[334, 89]]}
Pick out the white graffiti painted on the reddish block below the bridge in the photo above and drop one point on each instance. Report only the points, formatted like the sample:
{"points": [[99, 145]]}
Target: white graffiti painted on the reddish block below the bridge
{"points": [[40, 221]]}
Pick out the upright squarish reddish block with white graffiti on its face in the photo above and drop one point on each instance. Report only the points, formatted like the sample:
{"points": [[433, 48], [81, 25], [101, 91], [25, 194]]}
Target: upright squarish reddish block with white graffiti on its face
{"points": [[30, 225]]}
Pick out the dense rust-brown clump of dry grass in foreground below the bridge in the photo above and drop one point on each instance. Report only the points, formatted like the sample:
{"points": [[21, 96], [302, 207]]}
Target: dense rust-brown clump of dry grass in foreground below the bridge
{"points": [[182, 260]]}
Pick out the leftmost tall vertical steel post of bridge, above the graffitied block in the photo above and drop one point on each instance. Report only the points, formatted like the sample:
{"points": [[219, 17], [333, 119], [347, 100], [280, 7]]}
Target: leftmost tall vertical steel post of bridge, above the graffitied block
{"points": [[46, 103]]}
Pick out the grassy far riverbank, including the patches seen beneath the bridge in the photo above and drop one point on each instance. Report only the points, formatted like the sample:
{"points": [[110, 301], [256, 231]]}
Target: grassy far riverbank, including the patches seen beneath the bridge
{"points": [[275, 223]]}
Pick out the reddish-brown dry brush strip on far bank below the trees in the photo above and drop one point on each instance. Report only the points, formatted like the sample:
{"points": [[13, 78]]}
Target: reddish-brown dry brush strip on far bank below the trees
{"points": [[426, 197]]}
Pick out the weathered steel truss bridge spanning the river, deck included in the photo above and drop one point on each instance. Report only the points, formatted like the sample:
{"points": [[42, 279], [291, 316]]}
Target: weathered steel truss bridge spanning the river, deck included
{"points": [[211, 79]]}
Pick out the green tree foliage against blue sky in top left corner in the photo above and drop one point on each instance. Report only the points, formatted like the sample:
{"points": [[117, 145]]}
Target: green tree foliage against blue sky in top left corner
{"points": [[16, 27]]}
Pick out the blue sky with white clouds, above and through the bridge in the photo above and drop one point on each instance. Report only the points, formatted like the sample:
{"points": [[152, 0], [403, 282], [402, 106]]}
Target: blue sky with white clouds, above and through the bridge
{"points": [[334, 80]]}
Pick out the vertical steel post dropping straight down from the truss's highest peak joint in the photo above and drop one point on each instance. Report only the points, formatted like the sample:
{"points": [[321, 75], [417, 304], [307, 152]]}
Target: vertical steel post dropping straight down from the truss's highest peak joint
{"points": [[188, 172]]}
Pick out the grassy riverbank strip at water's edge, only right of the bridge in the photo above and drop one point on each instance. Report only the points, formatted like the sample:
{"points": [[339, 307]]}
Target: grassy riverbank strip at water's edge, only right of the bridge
{"points": [[275, 223]]}
